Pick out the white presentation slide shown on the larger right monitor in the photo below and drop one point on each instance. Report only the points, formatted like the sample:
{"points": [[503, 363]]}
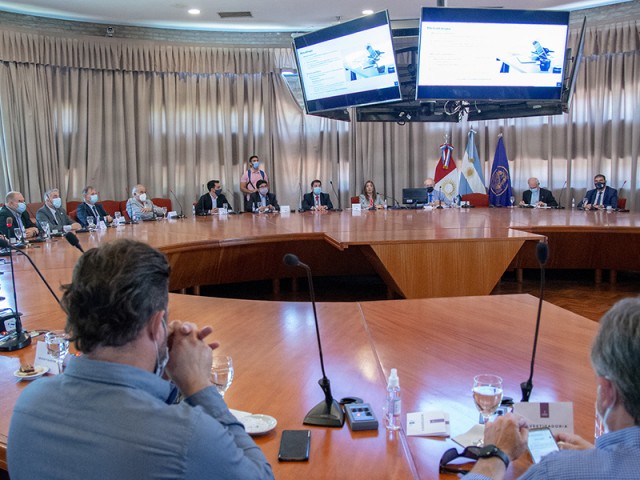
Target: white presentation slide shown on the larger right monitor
{"points": [[497, 54]]}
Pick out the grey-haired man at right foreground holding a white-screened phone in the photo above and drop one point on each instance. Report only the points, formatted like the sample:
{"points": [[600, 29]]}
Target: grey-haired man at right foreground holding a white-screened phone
{"points": [[615, 358]]}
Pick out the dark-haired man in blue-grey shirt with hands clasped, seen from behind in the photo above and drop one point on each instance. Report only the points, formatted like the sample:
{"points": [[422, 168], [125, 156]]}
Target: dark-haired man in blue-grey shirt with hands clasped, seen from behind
{"points": [[113, 415]]}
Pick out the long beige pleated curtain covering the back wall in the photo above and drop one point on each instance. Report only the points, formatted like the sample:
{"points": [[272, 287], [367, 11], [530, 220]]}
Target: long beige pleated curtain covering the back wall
{"points": [[114, 113]]}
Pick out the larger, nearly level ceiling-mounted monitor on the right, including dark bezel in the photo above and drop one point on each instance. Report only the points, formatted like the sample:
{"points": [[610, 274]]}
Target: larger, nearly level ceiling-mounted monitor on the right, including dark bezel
{"points": [[491, 54]]}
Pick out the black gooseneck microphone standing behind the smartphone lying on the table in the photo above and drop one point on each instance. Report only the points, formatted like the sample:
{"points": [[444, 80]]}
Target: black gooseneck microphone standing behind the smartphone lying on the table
{"points": [[328, 412]]}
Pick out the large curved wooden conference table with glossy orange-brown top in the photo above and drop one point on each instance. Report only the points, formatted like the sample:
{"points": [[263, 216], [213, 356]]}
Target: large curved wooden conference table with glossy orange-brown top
{"points": [[437, 344]]}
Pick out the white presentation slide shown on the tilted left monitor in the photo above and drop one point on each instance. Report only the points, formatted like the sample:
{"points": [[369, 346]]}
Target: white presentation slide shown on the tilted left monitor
{"points": [[354, 63]]}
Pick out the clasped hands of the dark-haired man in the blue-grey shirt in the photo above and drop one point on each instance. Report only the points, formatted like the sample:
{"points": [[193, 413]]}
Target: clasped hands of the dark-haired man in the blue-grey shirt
{"points": [[189, 365]]}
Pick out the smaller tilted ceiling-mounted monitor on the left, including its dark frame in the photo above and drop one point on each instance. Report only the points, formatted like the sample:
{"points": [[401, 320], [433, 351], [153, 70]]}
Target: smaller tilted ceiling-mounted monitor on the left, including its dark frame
{"points": [[349, 64]]}
